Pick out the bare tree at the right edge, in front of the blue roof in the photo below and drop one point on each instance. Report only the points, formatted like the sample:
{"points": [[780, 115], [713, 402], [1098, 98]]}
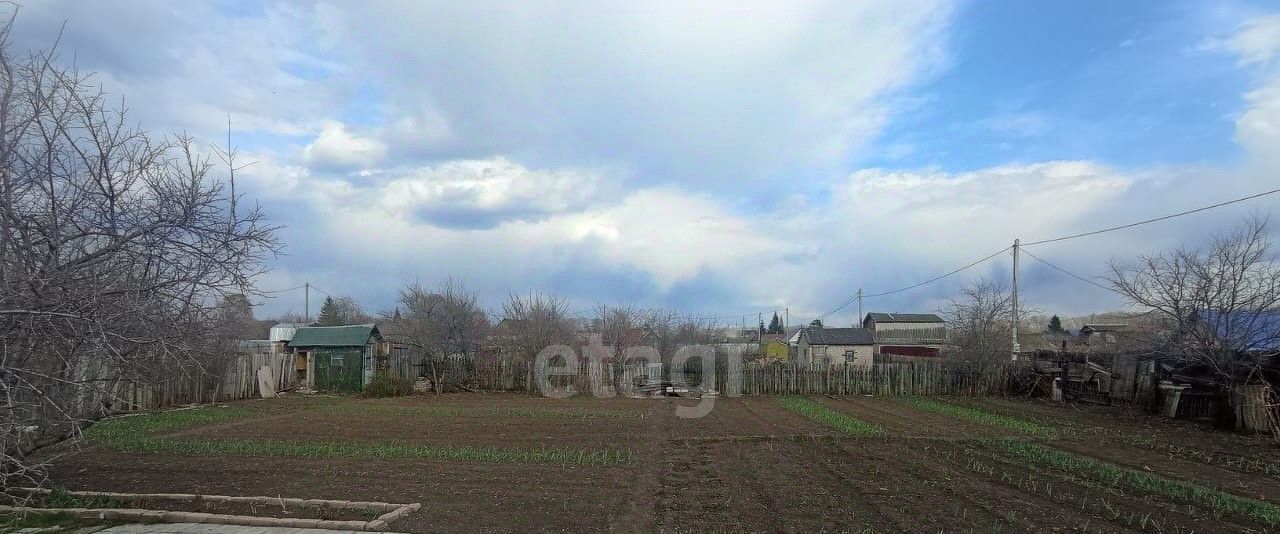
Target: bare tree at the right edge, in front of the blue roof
{"points": [[1222, 303]]}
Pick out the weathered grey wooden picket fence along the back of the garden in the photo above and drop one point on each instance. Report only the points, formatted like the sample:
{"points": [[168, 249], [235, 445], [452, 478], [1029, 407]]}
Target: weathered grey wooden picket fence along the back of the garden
{"points": [[239, 380]]}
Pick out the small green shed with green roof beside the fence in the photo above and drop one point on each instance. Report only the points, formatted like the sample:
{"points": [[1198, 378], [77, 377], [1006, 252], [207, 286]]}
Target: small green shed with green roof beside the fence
{"points": [[337, 359]]}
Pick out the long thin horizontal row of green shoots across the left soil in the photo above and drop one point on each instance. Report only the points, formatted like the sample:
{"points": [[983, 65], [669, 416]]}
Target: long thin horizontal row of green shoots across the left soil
{"points": [[328, 450]]}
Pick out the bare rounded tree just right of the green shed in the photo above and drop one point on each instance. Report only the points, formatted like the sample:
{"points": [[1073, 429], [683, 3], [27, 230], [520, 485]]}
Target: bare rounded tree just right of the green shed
{"points": [[440, 323]]}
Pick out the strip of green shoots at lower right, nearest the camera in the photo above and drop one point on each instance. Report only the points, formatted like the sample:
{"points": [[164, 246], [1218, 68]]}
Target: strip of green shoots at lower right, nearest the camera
{"points": [[1219, 503]]}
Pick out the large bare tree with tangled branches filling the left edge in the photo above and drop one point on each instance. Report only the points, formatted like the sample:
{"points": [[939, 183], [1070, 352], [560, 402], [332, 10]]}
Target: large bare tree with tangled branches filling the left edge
{"points": [[116, 250]]}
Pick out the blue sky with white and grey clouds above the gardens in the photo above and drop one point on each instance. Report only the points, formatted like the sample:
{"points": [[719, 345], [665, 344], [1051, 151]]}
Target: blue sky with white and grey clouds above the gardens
{"points": [[725, 158]]}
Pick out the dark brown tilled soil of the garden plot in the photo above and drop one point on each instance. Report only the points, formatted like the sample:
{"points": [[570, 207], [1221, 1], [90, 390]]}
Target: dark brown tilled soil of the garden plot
{"points": [[751, 465]]}
